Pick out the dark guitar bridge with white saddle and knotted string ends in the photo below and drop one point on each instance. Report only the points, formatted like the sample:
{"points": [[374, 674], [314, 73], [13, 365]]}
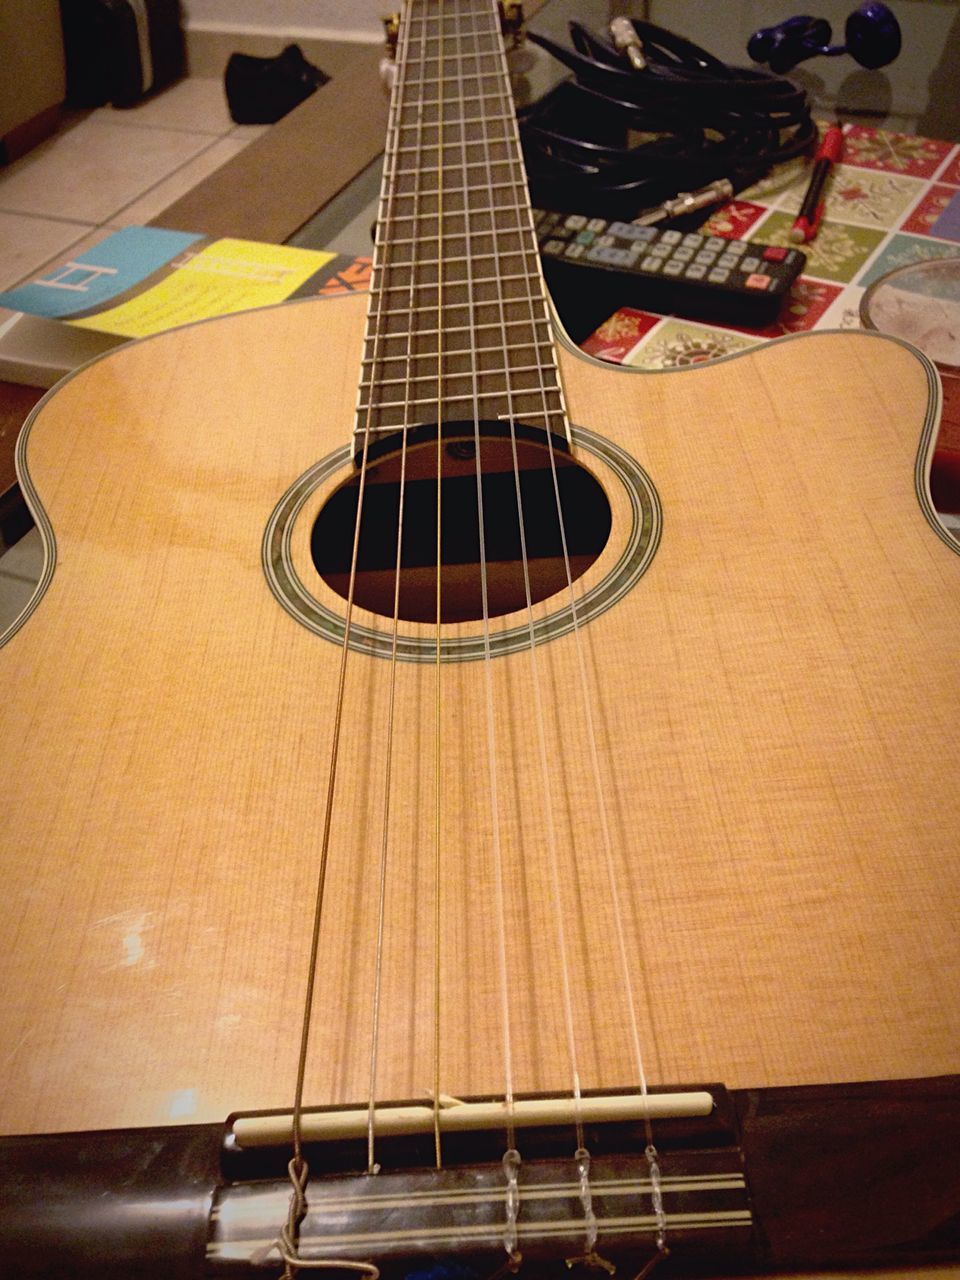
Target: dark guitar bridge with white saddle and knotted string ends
{"points": [[477, 1213]]}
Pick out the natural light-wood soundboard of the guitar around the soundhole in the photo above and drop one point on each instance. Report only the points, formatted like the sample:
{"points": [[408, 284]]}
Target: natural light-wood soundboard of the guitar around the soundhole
{"points": [[776, 708]]}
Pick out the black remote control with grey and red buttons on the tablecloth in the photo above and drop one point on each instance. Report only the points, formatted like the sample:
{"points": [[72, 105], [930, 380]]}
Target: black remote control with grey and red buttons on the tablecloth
{"points": [[671, 272]]}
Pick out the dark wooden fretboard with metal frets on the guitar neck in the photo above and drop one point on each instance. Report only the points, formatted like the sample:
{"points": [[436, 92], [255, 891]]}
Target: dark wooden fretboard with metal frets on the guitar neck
{"points": [[458, 327]]}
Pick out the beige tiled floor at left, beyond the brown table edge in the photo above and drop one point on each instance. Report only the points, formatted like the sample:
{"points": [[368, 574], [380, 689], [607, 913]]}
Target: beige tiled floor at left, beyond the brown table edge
{"points": [[103, 171]]}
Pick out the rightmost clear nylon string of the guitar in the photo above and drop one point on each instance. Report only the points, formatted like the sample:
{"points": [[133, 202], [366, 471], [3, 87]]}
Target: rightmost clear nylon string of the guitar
{"points": [[602, 807]]}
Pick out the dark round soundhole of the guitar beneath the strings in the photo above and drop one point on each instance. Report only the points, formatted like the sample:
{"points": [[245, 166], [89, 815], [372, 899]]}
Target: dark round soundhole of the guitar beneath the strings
{"points": [[524, 533]]}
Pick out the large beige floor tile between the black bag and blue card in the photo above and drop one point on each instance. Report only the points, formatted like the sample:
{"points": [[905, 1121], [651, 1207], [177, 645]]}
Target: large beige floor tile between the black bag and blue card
{"points": [[95, 170]]}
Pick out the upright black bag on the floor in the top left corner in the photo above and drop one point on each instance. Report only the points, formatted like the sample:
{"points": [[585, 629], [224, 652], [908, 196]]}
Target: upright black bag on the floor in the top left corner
{"points": [[120, 51]]}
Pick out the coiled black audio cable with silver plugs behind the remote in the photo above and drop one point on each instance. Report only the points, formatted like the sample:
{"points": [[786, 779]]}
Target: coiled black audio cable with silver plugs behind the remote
{"points": [[614, 140]]}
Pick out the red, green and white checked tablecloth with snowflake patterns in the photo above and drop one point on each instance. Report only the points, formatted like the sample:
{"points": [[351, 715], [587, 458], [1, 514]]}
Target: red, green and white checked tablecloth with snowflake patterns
{"points": [[894, 200]]}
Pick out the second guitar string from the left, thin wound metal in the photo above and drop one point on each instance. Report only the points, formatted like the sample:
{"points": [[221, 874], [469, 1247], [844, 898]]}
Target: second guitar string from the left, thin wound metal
{"points": [[390, 185]]}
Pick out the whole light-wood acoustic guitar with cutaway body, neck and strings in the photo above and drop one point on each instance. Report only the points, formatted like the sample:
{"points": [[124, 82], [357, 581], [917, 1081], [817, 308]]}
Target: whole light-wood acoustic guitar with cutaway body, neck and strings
{"points": [[505, 820]]}
